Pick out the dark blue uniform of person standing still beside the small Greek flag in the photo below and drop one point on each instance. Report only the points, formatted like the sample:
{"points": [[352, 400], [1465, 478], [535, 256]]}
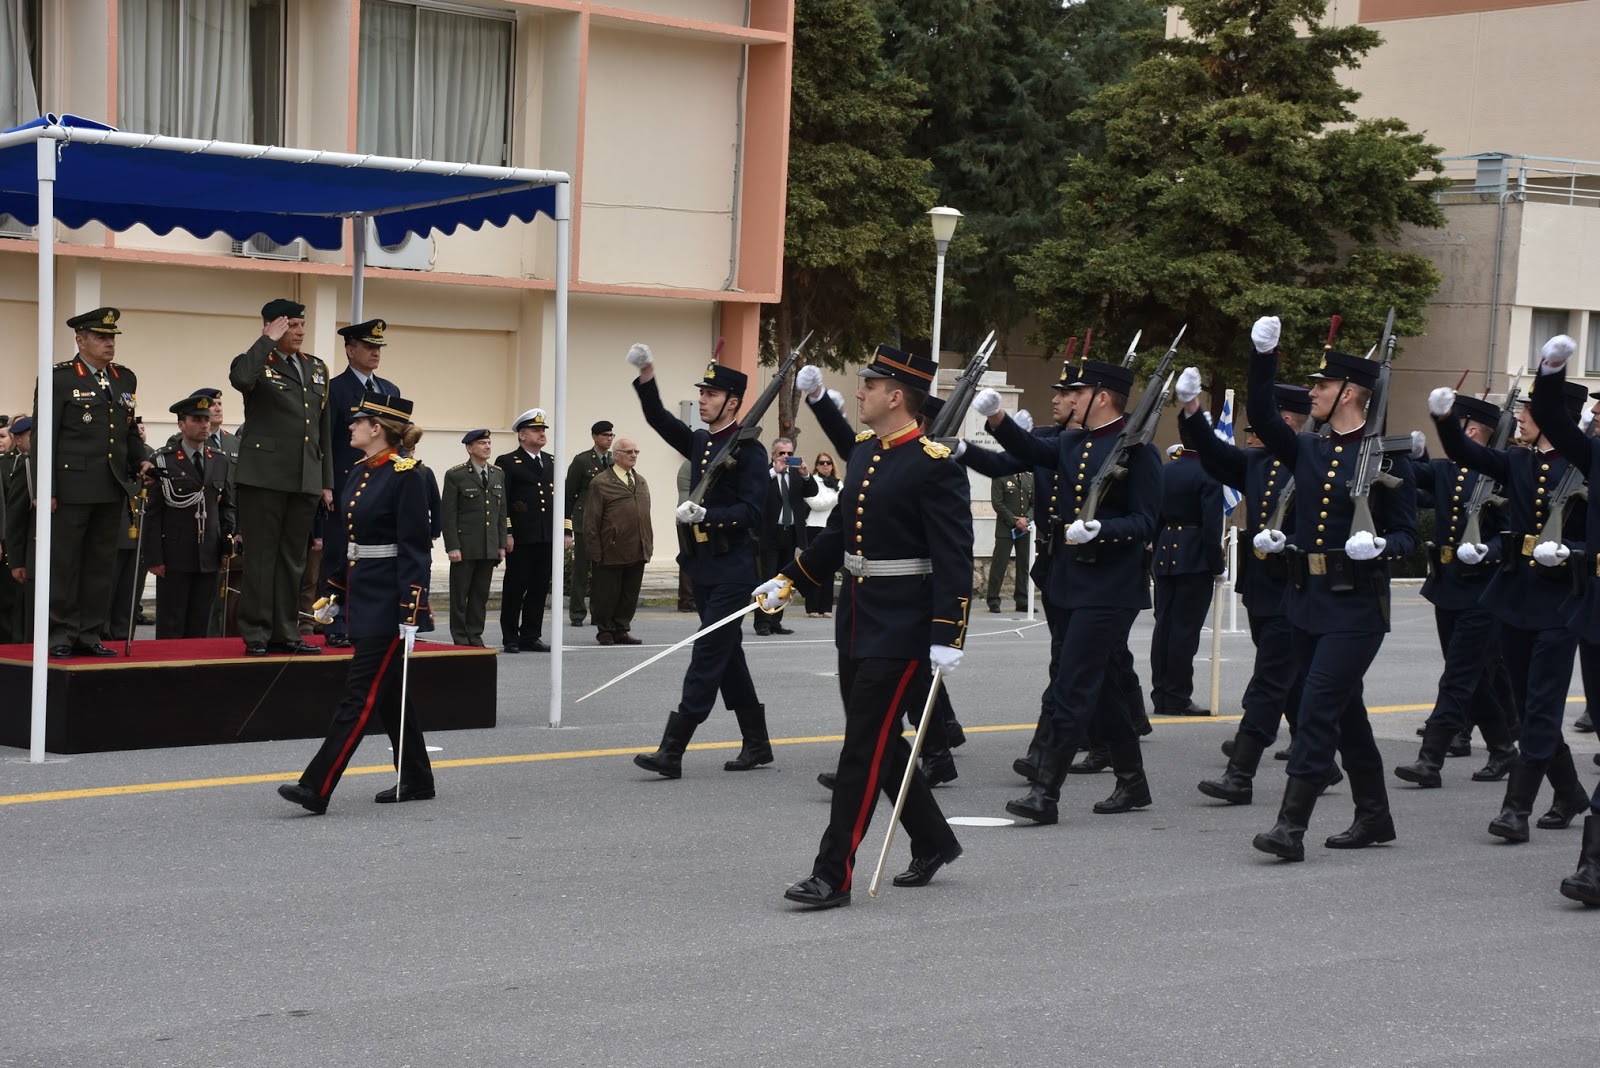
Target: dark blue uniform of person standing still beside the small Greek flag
{"points": [[1188, 560]]}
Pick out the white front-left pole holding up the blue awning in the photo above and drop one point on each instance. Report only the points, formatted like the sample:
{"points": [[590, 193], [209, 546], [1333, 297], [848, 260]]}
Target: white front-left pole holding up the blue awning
{"points": [[44, 445]]}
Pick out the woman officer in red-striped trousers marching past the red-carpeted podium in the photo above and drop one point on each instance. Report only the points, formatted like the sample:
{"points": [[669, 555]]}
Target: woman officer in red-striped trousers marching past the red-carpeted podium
{"points": [[383, 591]]}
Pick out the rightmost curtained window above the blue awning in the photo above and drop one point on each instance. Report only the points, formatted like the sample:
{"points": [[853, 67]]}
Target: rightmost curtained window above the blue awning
{"points": [[434, 84]]}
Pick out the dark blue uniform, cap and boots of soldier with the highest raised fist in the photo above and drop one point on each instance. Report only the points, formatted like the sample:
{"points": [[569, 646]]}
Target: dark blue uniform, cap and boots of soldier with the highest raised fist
{"points": [[1338, 607]]}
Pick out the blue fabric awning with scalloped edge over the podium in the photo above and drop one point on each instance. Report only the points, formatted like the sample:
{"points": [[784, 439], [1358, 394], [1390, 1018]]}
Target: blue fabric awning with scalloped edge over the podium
{"points": [[218, 188]]}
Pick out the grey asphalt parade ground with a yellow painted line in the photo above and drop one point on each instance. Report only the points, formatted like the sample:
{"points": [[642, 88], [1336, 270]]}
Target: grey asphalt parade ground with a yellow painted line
{"points": [[556, 906]]}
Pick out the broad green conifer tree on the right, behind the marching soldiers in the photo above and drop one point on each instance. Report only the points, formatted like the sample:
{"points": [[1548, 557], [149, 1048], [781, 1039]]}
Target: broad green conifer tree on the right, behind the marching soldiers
{"points": [[1236, 183]]}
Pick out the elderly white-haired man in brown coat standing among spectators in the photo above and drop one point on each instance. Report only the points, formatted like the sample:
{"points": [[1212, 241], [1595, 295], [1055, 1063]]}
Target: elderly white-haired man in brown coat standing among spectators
{"points": [[620, 541]]}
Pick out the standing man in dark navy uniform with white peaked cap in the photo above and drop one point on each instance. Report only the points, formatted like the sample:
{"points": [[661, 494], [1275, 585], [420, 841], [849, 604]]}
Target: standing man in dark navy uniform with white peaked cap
{"points": [[476, 536]]}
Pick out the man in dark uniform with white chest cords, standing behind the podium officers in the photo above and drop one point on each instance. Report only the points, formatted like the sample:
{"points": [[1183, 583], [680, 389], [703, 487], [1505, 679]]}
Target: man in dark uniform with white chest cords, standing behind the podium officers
{"points": [[190, 524]]}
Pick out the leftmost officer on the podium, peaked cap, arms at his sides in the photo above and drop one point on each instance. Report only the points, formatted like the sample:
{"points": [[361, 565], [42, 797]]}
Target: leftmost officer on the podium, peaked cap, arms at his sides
{"points": [[98, 461]]}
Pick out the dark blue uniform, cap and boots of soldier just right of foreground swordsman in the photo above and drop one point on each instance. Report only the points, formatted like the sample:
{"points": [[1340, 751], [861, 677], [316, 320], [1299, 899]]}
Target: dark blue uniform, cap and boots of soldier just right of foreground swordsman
{"points": [[1100, 589]]}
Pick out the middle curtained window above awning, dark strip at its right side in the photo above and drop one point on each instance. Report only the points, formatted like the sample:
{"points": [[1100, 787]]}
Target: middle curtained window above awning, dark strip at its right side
{"points": [[202, 70]]}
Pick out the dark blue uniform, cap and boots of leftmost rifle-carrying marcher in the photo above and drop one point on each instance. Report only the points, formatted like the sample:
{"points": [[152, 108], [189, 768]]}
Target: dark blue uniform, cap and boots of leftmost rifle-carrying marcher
{"points": [[719, 557]]}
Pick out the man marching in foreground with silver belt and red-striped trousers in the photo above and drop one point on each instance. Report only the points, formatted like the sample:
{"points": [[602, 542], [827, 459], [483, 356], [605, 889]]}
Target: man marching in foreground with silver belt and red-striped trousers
{"points": [[906, 543]]}
